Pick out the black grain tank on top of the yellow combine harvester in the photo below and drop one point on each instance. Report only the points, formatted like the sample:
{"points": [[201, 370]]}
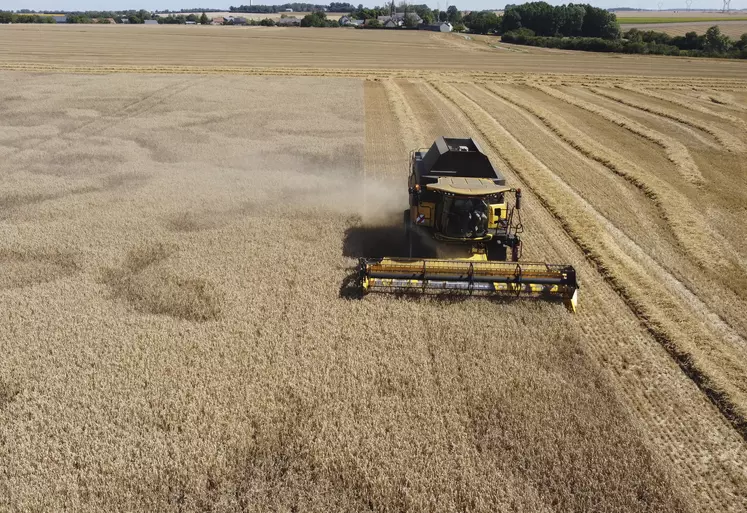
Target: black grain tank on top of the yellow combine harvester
{"points": [[460, 158]]}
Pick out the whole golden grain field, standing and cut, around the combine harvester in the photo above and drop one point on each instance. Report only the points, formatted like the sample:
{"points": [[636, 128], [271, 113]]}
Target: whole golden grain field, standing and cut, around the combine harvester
{"points": [[177, 244]]}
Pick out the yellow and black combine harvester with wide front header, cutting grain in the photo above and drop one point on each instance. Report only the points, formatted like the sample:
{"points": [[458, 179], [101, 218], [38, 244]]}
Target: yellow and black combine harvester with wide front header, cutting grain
{"points": [[464, 234]]}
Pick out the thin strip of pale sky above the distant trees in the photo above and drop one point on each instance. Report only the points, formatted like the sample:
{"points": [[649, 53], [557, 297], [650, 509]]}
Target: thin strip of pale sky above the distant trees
{"points": [[82, 5]]}
